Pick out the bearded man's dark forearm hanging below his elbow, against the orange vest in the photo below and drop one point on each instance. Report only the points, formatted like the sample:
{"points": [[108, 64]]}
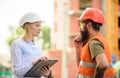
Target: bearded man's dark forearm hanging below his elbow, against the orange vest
{"points": [[99, 73]]}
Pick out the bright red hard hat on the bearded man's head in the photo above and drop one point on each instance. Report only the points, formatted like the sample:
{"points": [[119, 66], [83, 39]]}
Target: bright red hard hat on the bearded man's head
{"points": [[94, 14]]}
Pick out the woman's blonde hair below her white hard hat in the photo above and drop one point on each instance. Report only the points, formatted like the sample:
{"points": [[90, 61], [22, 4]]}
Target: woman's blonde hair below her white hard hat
{"points": [[27, 34]]}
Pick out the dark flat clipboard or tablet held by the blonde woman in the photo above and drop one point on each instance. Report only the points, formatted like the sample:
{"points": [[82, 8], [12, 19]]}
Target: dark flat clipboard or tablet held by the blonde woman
{"points": [[35, 71]]}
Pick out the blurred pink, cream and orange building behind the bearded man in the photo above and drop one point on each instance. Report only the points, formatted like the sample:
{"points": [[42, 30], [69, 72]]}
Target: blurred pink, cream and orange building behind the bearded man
{"points": [[66, 28]]}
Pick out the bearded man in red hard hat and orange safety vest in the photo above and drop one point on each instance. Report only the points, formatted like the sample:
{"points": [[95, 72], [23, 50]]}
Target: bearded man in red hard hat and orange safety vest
{"points": [[92, 50]]}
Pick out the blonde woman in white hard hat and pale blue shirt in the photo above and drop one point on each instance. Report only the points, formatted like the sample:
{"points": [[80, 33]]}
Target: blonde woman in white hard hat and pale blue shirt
{"points": [[25, 52]]}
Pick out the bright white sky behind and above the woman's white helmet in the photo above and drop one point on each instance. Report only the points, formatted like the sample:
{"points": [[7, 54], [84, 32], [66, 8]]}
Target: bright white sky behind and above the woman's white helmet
{"points": [[12, 10]]}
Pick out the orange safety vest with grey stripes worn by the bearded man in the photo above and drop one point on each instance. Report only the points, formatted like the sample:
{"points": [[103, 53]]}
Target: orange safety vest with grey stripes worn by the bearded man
{"points": [[87, 64]]}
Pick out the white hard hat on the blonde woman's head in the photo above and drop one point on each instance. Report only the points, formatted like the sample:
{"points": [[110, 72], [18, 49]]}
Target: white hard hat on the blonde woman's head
{"points": [[29, 17]]}
